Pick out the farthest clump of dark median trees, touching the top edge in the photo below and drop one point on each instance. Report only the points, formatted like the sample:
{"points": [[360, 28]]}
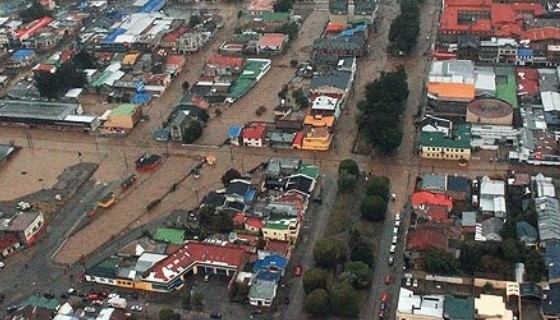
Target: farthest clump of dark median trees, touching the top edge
{"points": [[404, 30]]}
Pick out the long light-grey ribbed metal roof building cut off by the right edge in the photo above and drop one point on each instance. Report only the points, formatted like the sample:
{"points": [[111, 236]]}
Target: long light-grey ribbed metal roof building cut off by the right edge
{"points": [[548, 211]]}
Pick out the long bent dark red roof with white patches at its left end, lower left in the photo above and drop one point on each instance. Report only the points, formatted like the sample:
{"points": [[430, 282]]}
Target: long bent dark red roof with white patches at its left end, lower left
{"points": [[195, 253]]}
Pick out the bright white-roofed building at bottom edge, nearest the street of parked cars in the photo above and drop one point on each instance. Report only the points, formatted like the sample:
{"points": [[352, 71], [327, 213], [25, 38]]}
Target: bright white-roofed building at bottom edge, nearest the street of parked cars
{"points": [[411, 306]]}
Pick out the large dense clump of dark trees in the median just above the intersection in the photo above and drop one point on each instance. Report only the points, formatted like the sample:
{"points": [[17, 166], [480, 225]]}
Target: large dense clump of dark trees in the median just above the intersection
{"points": [[382, 109]]}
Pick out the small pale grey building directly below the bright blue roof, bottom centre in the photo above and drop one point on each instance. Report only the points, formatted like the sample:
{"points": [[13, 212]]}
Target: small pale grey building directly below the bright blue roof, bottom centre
{"points": [[263, 288]]}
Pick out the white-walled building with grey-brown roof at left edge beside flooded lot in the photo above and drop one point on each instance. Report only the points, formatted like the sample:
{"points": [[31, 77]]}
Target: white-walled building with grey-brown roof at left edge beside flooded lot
{"points": [[24, 225]]}
